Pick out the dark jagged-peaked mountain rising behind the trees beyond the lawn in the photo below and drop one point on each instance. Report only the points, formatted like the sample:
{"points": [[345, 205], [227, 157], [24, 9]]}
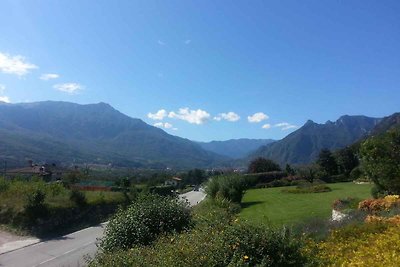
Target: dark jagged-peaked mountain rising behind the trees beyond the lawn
{"points": [[303, 145]]}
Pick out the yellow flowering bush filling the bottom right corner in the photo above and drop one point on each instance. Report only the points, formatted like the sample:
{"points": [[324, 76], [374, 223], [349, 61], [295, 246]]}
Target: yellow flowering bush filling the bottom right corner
{"points": [[370, 244]]}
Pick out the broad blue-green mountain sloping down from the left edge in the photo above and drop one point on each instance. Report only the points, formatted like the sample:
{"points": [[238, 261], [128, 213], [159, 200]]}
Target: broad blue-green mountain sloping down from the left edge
{"points": [[96, 133]]}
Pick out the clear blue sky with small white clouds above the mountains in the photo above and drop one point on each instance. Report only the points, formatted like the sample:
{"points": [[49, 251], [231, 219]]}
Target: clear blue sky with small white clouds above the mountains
{"points": [[216, 69]]}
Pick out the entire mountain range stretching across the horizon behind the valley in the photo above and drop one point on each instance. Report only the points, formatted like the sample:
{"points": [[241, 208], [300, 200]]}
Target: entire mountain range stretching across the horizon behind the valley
{"points": [[68, 133]]}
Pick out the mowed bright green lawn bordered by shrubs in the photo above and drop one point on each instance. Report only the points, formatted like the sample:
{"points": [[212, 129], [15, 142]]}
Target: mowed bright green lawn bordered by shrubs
{"points": [[272, 206]]}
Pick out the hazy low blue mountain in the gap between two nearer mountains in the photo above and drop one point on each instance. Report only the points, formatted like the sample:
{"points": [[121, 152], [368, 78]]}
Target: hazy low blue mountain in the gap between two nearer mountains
{"points": [[235, 148]]}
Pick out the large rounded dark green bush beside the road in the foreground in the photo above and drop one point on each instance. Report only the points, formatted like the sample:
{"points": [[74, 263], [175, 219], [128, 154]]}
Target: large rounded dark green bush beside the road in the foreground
{"points": [[144, 220]]}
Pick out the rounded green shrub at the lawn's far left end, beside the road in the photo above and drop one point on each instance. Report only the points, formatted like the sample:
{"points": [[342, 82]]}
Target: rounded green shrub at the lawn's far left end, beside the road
{"points": [[230, 187]]}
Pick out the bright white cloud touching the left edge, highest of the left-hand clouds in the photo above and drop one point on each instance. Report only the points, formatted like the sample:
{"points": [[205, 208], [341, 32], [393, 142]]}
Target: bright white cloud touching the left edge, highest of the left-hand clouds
{"points": [[15, 64]]}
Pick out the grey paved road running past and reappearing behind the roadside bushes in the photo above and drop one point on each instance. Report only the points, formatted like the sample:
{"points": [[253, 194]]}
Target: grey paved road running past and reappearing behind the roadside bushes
{"points": [[68, 250]]}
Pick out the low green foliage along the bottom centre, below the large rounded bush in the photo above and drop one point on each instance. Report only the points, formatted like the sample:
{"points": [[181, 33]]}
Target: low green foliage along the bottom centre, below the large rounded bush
{"points": [[216, 240]]}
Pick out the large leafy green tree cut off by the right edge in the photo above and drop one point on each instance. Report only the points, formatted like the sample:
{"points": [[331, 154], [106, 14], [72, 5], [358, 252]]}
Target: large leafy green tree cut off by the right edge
{"points": [[381, 161]]}
